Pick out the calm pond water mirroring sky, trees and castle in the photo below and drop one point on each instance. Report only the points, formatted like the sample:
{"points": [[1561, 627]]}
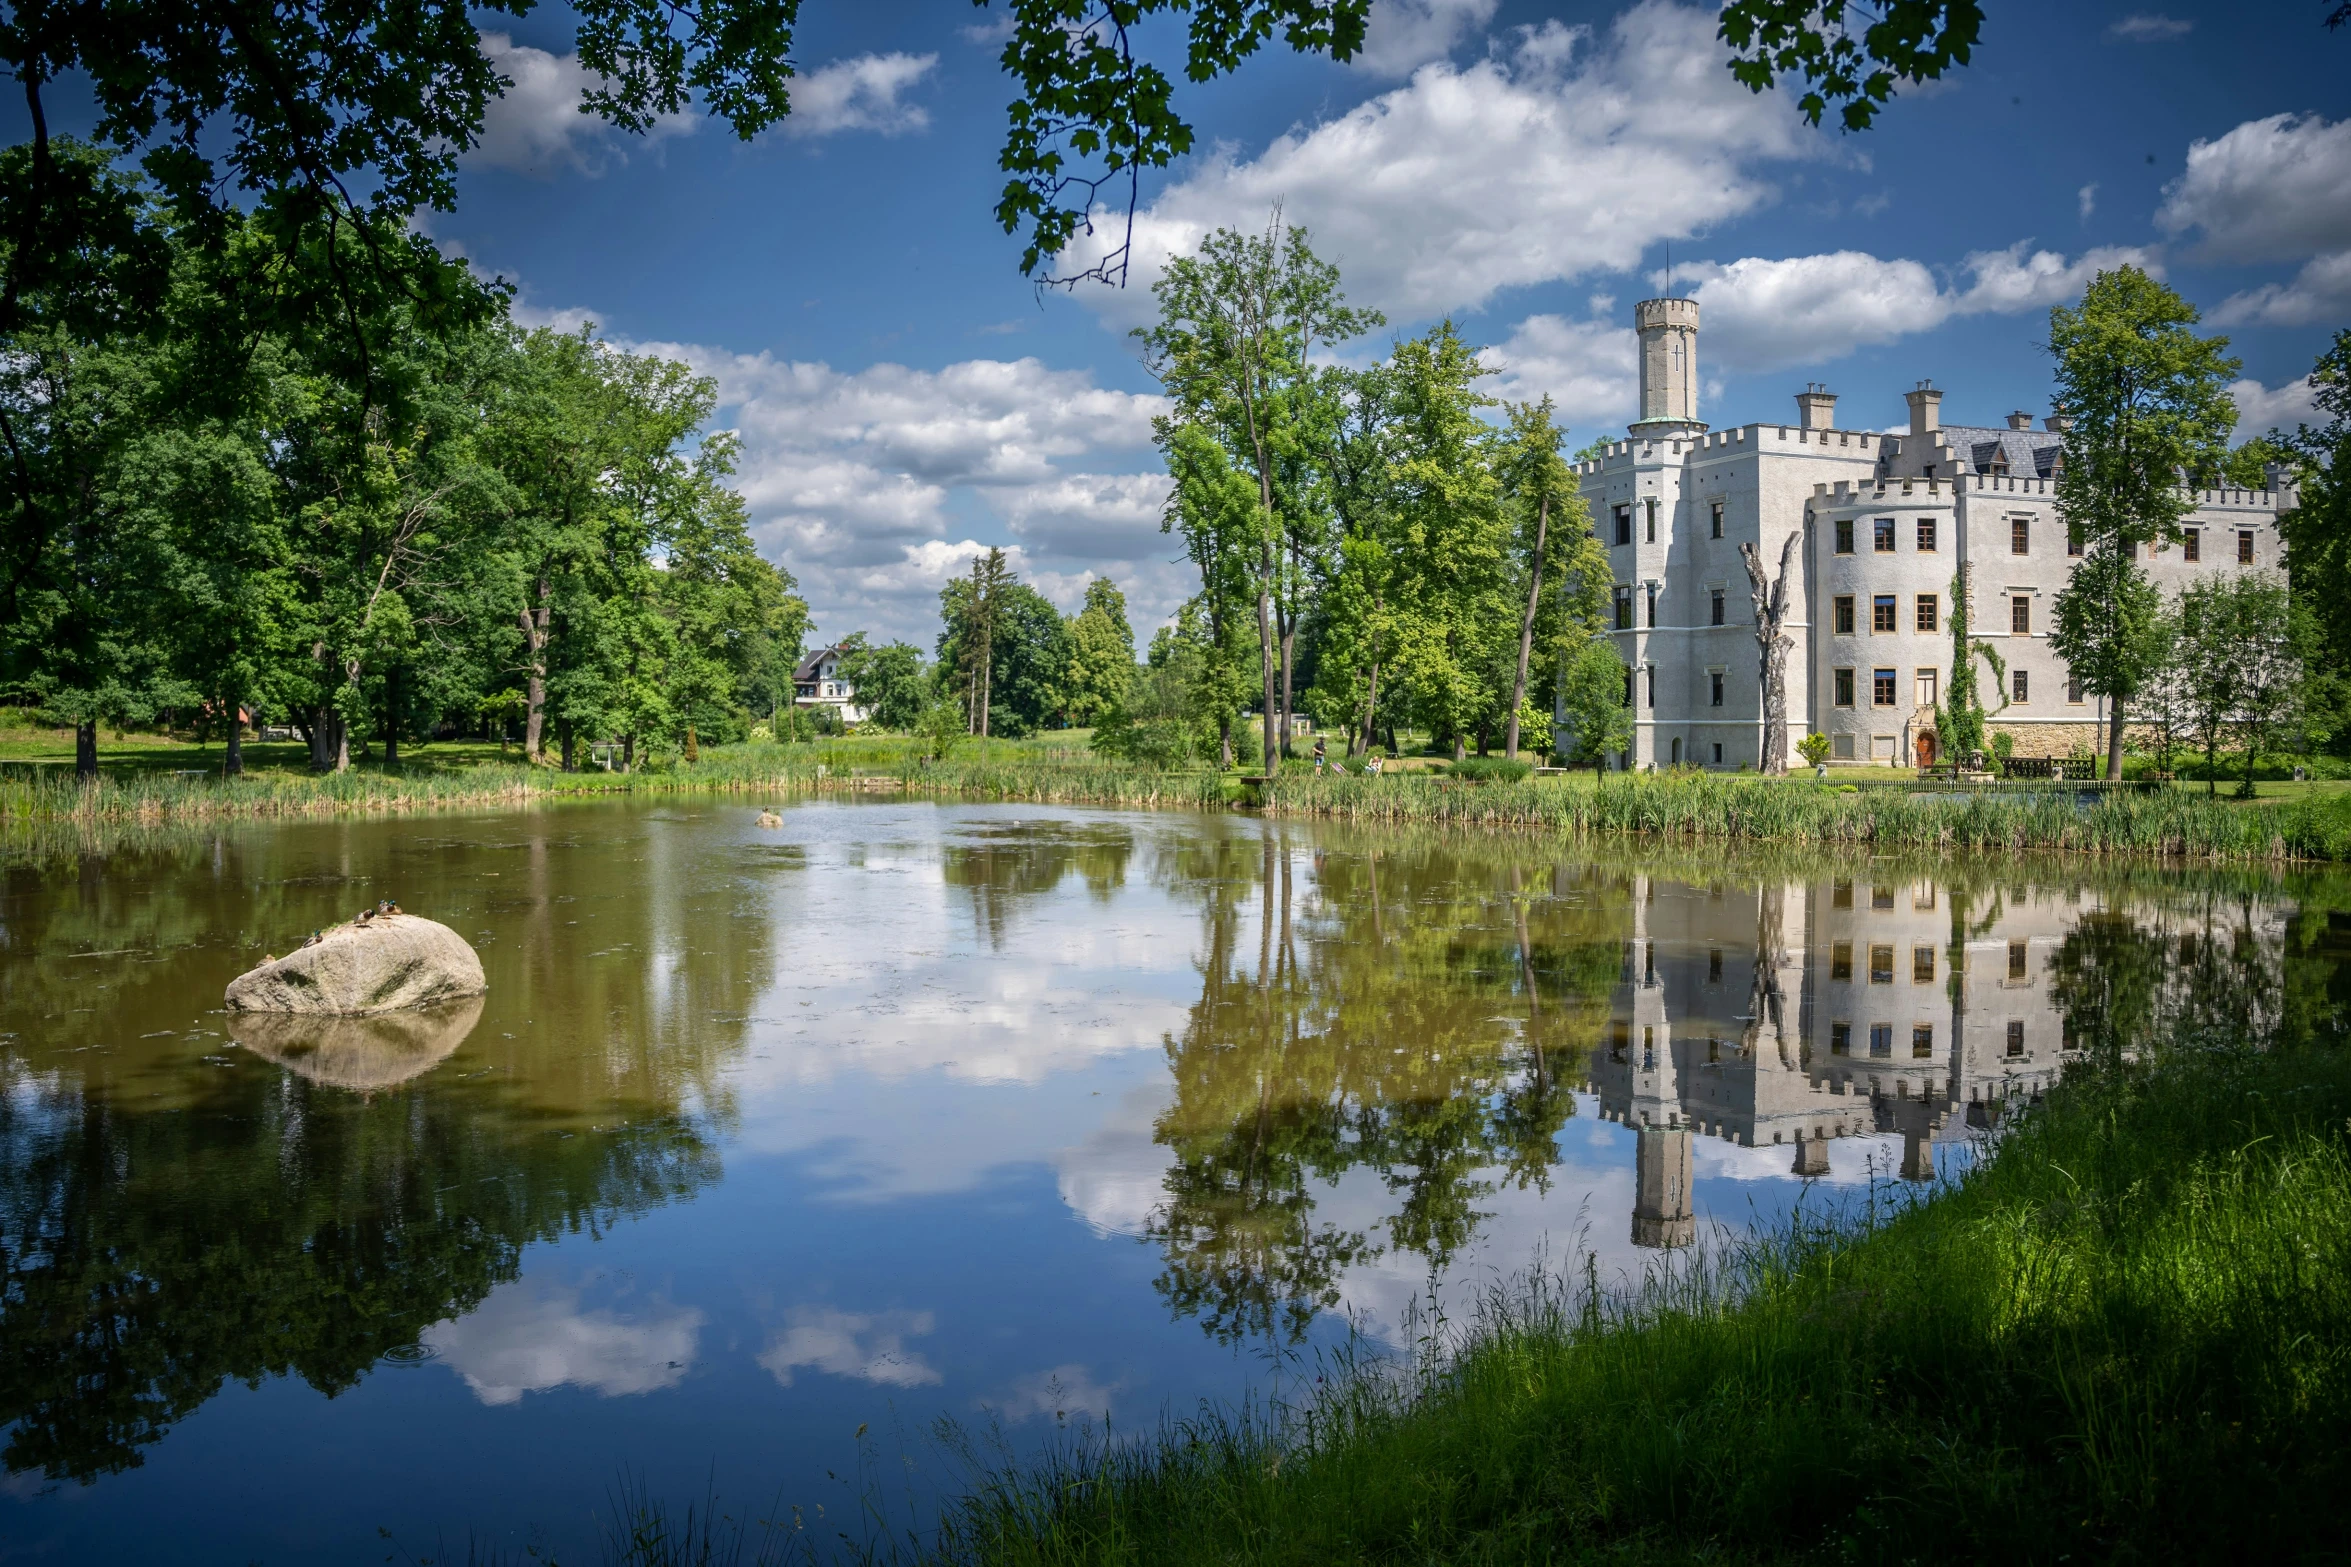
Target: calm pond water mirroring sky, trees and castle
{"points": [[899, 1112]]}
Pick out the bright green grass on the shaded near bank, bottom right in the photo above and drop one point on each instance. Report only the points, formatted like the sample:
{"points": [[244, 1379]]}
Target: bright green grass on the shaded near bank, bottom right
{"points": [[2124, 1338]]}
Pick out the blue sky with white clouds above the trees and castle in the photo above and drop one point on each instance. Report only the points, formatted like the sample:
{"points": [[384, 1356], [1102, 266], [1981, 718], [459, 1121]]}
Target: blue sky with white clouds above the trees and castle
{"points": [[906, 396]]}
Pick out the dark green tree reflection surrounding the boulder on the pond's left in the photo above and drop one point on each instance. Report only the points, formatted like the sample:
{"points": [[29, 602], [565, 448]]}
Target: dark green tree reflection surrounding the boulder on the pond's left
{"points": [[173, 1220]]}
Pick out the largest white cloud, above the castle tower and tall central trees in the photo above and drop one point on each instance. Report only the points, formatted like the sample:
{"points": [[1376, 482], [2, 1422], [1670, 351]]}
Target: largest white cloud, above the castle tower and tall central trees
{"points": [[1550, 163]]}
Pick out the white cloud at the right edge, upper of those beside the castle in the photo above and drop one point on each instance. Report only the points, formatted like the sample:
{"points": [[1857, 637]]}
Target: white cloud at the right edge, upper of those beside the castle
{"points": [[2272, 189]]}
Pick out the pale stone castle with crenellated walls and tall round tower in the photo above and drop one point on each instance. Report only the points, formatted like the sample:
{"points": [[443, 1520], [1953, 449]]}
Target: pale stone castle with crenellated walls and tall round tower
{"points": [[1887, 527]]}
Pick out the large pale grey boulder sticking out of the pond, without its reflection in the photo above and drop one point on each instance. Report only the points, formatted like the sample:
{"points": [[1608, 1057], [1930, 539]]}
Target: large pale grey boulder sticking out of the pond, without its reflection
{"points": [[384, 964]]}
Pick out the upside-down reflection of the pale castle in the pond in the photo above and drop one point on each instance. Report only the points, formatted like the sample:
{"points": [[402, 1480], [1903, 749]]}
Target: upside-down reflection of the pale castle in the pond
{"points": [[1807, 1011]]}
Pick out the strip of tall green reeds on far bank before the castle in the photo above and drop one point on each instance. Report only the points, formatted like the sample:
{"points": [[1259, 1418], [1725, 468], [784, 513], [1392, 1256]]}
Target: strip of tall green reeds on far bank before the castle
{"points": [[1802, 812]]}
